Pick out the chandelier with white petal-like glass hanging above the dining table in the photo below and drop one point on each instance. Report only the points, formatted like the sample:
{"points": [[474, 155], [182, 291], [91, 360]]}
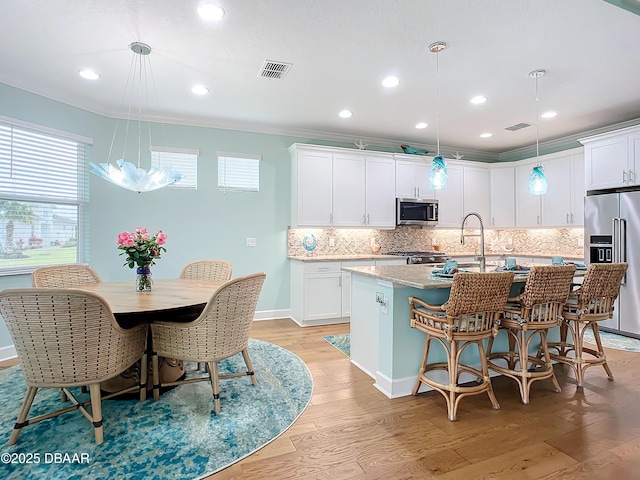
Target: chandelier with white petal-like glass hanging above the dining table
{"points": [[127, 174]]}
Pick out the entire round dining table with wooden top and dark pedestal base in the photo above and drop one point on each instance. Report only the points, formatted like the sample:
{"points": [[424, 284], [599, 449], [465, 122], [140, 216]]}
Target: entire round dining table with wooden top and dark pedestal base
{"points": [[173, 299]]}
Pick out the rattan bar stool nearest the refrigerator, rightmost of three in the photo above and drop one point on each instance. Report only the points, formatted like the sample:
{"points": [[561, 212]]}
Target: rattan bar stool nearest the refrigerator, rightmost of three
{"points": [[590, 303]]}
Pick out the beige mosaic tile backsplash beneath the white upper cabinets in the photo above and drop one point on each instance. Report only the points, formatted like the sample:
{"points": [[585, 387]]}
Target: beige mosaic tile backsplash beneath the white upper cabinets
{"points": [[567, 242]]}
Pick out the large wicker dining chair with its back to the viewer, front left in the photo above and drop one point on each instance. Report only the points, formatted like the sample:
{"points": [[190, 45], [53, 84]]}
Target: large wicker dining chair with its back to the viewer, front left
{"points": [[69, 338]]}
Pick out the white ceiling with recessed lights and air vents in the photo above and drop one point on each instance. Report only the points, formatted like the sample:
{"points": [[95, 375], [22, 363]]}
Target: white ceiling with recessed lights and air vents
{"points": [[340, 52]]}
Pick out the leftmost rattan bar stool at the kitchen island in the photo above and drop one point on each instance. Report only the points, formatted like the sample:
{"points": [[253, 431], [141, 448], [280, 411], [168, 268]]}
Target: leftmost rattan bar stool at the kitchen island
{"points": [[466, 318]]}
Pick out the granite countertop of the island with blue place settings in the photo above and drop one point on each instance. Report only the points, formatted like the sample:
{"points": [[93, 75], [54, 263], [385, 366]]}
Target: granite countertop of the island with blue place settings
{"points": [[418, 276]]}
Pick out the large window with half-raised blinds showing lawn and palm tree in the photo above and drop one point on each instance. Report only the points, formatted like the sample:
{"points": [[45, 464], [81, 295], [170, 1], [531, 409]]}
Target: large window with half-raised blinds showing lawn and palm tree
{"points": [[43, 197]]}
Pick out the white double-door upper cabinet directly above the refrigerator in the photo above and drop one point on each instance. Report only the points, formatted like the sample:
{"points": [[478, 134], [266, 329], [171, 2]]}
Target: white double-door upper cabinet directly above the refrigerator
{"points": [[612, 159]]}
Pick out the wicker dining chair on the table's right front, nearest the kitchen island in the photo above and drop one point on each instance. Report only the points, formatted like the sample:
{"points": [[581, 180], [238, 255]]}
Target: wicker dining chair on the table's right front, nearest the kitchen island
{"points": [[221, 330]]}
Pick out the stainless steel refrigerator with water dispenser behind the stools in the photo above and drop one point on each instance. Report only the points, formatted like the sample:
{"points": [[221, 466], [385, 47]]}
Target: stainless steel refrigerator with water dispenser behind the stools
{"points": [[612, 234]]}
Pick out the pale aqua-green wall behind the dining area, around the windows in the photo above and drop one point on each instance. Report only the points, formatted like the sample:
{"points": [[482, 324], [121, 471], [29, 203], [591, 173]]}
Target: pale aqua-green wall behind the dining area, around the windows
{"points": [[199, 224]]}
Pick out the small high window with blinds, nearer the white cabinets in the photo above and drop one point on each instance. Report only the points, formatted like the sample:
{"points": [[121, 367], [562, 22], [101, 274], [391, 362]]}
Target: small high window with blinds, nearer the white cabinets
{"points": [[239, 172]]}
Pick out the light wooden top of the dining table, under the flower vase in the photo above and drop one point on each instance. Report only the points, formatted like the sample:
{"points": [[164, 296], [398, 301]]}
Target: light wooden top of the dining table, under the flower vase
{"points": [[166, 294]]}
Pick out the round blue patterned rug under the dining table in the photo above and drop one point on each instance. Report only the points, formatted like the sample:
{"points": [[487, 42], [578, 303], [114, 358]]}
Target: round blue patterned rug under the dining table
{"points": [[177, 437]]}
